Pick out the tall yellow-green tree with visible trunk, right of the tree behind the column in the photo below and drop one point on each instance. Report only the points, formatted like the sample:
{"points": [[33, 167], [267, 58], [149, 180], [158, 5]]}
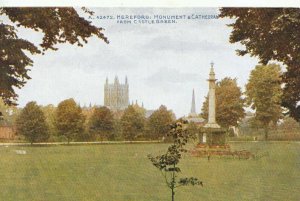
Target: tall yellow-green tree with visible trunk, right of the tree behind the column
{"points": [[264, 93]]}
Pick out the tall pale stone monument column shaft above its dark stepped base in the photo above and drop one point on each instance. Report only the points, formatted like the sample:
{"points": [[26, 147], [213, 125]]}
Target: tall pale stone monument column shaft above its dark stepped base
{"points": [[212, 100]]}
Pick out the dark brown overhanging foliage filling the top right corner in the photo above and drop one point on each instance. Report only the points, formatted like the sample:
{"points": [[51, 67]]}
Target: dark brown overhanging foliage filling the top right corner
{"points": [[272, 34]]}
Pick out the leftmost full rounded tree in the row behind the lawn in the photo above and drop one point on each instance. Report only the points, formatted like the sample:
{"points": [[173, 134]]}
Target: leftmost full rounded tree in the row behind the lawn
{"points": [[31, 123]]}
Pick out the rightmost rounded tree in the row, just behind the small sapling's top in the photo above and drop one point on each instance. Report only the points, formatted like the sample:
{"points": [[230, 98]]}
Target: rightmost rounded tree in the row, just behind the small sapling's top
{"points": [[159, 122]]}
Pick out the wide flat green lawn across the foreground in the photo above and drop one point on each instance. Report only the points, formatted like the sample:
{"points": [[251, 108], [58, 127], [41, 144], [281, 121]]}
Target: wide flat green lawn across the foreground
{"points": [[123, 173]]}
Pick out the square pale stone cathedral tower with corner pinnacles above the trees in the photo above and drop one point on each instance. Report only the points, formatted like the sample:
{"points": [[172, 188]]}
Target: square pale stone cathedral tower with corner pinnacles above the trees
{"points": [[116, 95]]}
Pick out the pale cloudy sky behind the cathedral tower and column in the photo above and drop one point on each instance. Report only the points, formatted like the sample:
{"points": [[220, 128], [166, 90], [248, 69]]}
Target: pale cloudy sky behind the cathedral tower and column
{"points": [[164, 62]]}
